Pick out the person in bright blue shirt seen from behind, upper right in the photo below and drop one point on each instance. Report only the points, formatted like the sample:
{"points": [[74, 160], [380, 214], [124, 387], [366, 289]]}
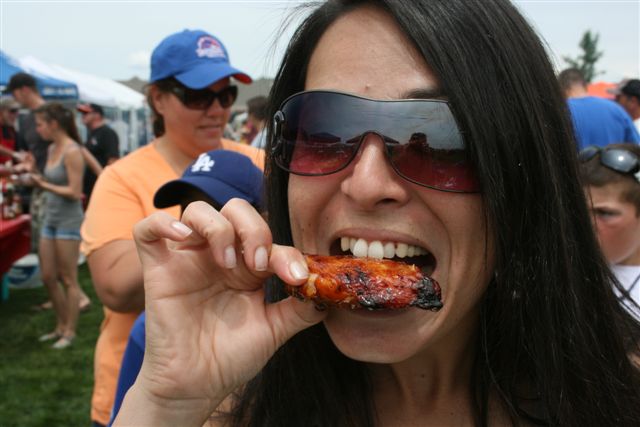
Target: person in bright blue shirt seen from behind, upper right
{"points": [[596, 121]]}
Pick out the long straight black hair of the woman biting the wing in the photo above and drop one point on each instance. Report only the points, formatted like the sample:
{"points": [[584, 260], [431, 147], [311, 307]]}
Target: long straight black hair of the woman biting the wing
{"points": [[553, 342]]}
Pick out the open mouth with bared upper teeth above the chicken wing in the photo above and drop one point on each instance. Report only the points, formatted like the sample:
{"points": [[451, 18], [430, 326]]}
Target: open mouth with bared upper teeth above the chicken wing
{"points": [[396, 251]]}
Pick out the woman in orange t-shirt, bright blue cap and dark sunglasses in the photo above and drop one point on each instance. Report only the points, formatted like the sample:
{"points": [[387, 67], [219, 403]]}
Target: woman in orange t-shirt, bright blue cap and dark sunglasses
{"points": [[190, 93]]}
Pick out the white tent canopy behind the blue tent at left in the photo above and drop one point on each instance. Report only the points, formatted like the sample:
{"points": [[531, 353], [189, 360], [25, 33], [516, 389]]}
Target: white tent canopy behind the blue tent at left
{"points": [[92, 89]]}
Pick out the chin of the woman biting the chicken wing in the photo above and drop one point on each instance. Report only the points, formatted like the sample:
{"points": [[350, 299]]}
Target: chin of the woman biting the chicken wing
{"points": [[377, 337]]}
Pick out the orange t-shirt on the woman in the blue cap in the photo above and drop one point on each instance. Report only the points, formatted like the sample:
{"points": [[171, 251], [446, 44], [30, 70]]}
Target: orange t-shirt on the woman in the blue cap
{"points": [[122, 196]]}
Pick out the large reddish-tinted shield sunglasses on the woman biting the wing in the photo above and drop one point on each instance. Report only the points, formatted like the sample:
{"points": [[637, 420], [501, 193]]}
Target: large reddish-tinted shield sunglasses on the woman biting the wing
{"points": [[319, 133]]}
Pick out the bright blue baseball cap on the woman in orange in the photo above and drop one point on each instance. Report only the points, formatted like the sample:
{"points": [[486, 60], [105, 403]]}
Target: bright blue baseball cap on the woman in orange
{"points": [[195, 58]]}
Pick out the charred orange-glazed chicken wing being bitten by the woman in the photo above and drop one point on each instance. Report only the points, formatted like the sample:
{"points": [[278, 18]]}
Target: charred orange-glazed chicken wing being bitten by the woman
{"points": [[350, 282]]}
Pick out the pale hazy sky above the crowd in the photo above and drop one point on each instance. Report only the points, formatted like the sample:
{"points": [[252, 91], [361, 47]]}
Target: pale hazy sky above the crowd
{"points": [[114, 39]]}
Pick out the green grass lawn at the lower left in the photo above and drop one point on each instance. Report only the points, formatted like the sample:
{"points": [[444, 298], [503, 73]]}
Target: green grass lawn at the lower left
{"points": [[40, 386]]}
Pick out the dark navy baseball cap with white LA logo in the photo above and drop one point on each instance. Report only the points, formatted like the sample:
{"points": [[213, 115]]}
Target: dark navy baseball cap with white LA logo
{"points": [[221, 175]]}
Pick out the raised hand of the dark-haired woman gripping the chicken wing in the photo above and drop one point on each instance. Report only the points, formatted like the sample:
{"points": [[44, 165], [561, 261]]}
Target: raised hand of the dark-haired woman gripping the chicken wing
{"points": [[208, 329]]}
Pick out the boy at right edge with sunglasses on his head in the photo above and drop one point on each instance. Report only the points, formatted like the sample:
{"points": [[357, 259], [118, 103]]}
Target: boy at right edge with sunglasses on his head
{"points": [[611, 177]]}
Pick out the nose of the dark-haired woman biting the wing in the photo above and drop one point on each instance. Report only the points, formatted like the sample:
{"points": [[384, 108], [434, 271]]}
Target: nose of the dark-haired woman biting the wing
{"points": [[371, 181]]}
